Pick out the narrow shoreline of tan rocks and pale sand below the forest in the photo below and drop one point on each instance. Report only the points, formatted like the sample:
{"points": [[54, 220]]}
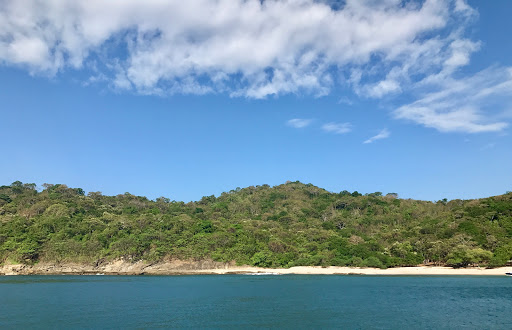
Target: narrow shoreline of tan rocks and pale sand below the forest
{"points": [[177, 267]]}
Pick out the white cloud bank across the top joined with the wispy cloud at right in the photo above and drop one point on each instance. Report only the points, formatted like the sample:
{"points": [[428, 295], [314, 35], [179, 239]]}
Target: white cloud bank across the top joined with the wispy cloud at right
{"points": [[252, 48]]}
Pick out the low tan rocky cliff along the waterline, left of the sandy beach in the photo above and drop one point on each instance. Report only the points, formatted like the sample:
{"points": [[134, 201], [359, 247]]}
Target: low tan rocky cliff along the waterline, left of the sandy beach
{"points": [[116, 267]]}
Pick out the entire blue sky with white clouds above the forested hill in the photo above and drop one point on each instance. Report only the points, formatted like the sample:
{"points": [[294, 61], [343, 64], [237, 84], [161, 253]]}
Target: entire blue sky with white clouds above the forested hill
{"points": [[190, 99]]}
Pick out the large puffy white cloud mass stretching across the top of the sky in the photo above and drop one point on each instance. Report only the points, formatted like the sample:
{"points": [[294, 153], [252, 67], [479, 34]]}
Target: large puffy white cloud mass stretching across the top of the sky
{"points": [[246, 48]]}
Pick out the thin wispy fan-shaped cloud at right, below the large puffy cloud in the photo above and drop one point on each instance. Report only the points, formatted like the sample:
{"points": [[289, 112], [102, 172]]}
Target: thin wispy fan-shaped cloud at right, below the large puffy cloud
{"points": [[463, 105]]}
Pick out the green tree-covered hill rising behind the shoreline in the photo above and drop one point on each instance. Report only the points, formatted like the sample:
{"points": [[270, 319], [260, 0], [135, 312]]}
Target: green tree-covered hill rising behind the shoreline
{"points": [[287, 225]]}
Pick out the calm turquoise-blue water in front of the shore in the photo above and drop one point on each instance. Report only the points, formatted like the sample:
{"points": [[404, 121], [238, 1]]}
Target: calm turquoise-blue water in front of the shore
{"points": [[235, 301]]}
